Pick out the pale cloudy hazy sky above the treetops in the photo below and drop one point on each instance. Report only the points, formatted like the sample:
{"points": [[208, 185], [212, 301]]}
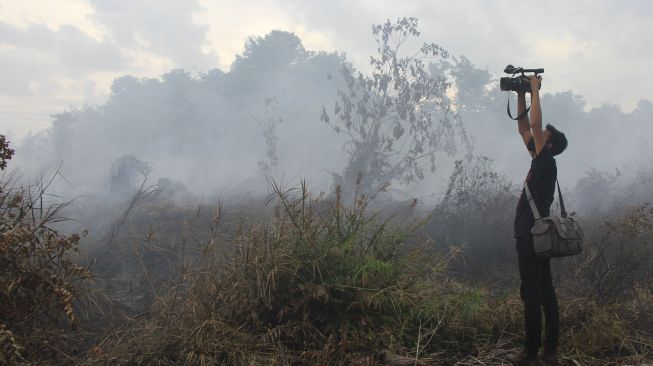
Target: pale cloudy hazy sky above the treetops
{"points": [[60, 54]]}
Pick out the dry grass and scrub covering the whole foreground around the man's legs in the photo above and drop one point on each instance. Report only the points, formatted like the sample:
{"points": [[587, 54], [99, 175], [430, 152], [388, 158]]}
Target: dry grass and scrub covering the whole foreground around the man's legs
{"points": [[307, 281]]}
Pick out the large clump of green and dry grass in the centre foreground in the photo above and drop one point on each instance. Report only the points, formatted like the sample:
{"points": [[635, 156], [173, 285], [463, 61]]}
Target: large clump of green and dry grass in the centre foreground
{"points": [[318, 283]]}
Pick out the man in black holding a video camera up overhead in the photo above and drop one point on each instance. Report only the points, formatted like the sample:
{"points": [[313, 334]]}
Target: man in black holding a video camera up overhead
{"points": [[536, 290]]}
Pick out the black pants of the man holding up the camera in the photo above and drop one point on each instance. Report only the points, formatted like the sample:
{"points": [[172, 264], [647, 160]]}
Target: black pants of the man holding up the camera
{"points": [[538, 294]]}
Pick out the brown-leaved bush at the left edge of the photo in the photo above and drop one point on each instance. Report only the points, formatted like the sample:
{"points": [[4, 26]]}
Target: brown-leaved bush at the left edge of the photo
{"points": [[38, 277]]}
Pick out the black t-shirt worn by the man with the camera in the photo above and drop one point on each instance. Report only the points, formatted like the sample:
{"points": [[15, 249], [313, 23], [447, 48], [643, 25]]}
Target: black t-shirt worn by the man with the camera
{"points": [[541, 181]]}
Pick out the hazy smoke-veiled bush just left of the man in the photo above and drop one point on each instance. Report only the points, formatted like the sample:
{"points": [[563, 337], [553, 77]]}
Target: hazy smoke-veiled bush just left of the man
{"points": [[476, 214]]}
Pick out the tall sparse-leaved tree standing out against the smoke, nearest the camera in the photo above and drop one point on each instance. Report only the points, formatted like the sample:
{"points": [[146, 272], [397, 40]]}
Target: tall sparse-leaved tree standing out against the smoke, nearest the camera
{"points": [[398, 117]]}
